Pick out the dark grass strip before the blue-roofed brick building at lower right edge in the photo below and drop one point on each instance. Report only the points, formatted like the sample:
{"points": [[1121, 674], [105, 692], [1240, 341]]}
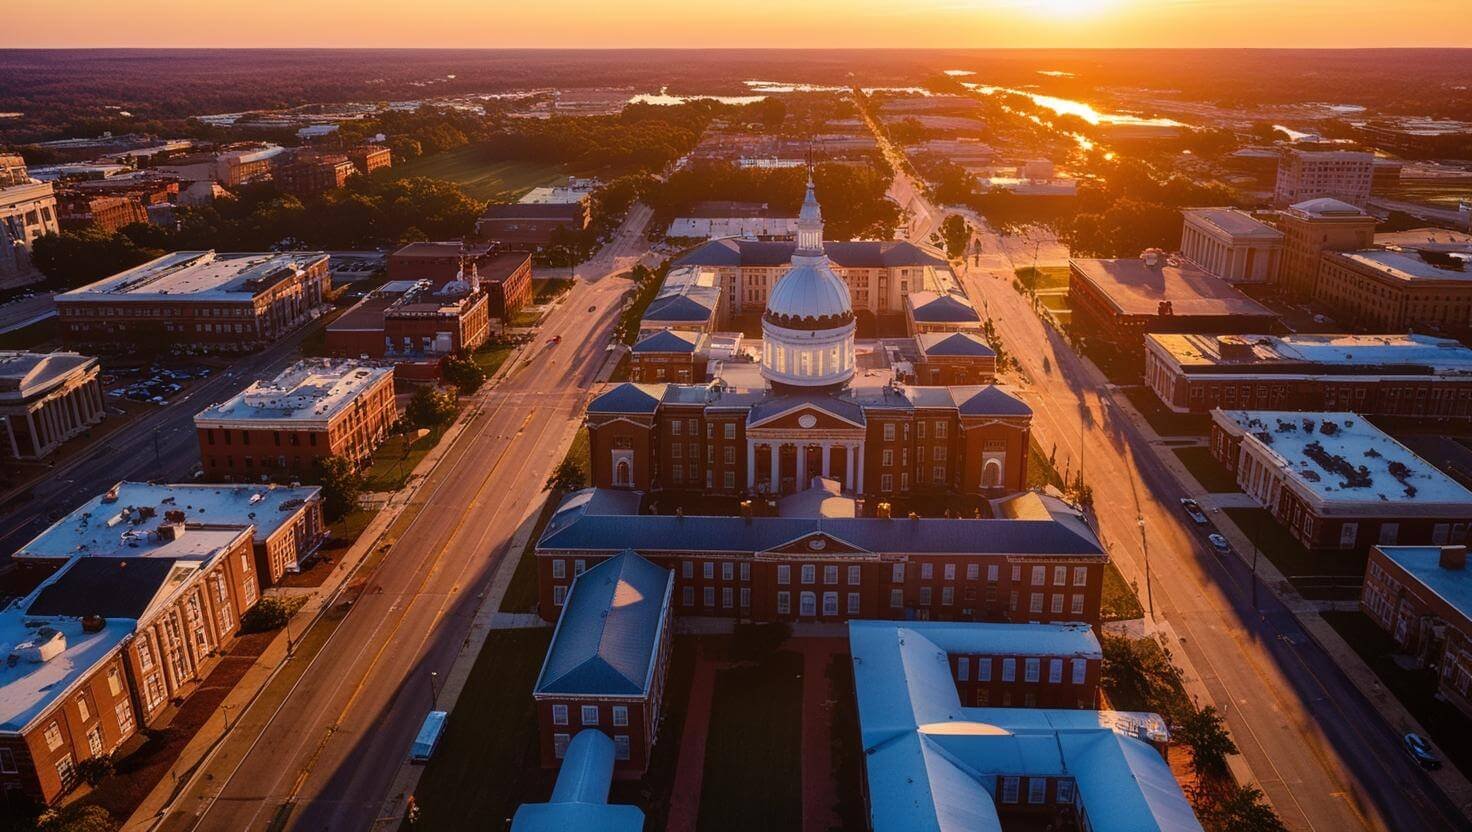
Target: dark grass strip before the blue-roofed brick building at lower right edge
{"points": [[1417, 690]]}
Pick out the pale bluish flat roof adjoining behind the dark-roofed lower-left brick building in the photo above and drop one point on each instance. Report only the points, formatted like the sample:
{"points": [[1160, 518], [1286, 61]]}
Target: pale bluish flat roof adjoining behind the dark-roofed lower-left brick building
{"points": [[117, 522]]}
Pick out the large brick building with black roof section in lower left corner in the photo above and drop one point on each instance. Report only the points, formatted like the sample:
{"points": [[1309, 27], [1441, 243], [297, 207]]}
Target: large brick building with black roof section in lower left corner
{"points": [[107, 643]]}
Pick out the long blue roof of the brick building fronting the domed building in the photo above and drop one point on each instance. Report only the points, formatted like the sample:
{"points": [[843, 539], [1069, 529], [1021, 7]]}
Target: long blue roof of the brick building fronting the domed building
{"points": [[928, 535]]}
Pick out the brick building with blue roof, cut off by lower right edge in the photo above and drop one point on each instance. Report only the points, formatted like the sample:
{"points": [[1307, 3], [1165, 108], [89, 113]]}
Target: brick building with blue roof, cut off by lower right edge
{"points": [[1423, 599]]}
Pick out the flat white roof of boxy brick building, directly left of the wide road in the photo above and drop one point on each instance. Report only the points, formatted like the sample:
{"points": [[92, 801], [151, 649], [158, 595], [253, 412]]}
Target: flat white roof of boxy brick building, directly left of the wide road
{"points": [[311, 391]]}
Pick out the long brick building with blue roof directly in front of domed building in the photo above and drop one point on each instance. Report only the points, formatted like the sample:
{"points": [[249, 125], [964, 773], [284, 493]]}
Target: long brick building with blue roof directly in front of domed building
{"points": [[1031, 562]]}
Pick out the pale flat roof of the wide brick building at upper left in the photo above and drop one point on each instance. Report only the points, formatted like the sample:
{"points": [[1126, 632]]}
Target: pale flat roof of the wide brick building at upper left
{"points": [[197, 276]]}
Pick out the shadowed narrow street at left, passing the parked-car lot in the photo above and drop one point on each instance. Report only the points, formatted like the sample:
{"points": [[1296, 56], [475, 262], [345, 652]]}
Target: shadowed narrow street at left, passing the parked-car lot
{"points": [[161, 445]]}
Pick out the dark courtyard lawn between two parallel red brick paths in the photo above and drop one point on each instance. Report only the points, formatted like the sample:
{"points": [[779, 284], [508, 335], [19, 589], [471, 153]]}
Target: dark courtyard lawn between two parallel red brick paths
{"points": [[753, 755]]}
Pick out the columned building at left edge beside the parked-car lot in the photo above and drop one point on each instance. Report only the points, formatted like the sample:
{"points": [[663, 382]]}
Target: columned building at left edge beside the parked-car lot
{"points": [[46, 400]]}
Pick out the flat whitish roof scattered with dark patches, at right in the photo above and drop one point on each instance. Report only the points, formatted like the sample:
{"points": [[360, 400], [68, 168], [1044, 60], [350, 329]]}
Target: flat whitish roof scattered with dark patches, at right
{"points": [[1342, 457]]}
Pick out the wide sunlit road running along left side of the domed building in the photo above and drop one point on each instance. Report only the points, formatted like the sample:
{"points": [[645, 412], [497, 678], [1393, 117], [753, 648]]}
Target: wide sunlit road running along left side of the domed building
{"points": [[328, 758]]}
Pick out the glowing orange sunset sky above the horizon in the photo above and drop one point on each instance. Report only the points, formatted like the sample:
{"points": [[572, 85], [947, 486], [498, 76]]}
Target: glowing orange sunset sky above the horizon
{"points": [[740, 23]]}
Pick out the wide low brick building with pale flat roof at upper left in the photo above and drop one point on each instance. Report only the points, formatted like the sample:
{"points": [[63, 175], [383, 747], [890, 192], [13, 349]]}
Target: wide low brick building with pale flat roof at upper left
{"points": [[201, 301]]}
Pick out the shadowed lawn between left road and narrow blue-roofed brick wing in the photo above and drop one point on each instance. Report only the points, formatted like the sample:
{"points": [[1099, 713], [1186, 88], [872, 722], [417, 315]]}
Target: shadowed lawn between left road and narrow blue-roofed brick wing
{"points": [[488, 761]]}
